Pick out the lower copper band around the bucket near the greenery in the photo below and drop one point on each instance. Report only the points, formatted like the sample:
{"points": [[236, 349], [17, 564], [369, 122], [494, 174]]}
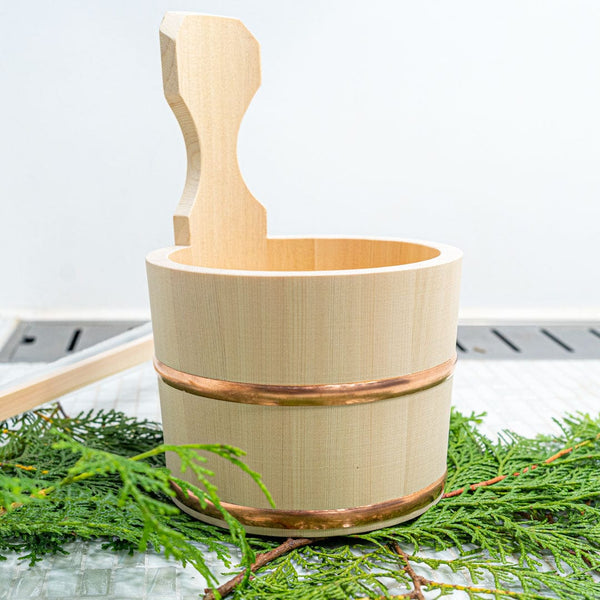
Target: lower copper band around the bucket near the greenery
{"points": [[319, 519]]}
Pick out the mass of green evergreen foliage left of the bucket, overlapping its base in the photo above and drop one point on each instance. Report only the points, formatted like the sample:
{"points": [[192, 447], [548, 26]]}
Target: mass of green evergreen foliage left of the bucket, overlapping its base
{"points": [[102, 475]]}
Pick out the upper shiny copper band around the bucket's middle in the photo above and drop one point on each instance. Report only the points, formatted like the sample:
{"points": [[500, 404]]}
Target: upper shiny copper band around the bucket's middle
{"points": [[305, 395]]}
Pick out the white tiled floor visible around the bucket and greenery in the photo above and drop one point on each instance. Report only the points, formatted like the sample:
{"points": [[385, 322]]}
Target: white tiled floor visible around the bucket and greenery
{"points": [[519, 395]]}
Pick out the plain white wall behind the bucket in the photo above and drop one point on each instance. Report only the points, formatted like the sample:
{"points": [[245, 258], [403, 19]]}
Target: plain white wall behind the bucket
{"points": [[472, 123]]}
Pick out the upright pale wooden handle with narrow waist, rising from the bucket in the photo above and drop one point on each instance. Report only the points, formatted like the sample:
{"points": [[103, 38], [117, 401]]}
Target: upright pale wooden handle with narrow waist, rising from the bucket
{"points": [[211, 71]]}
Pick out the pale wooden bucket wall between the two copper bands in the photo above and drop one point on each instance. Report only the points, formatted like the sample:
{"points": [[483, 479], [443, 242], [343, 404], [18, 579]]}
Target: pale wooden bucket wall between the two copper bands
{"points": [[318, 457]]}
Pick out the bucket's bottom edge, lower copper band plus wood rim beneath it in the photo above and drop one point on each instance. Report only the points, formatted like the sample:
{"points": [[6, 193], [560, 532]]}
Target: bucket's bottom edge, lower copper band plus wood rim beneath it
{"points": [[317, 523]]}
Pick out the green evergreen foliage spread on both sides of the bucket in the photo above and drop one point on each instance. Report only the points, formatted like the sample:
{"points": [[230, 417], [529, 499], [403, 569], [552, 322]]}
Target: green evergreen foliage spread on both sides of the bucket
{"points": [[531, 530]]}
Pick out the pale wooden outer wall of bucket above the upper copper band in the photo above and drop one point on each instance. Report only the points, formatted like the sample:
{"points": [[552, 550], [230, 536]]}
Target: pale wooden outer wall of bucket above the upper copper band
{"points": [[297, 328]]}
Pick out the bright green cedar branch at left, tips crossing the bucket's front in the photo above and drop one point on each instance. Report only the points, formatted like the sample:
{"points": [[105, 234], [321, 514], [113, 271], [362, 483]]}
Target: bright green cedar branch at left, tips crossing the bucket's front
{"points": [[131, 483]]}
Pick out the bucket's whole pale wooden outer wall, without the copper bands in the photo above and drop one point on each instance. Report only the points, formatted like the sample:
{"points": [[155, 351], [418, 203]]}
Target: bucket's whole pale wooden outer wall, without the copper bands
{"points": [[311, 327]]}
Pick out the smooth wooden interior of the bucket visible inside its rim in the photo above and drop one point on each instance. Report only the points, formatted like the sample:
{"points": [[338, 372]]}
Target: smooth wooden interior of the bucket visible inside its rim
{"points": [[316, 254]]}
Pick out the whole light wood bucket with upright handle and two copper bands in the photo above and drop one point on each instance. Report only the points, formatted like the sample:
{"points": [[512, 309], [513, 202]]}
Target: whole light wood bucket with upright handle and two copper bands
{"points": [[328, 360]]}
